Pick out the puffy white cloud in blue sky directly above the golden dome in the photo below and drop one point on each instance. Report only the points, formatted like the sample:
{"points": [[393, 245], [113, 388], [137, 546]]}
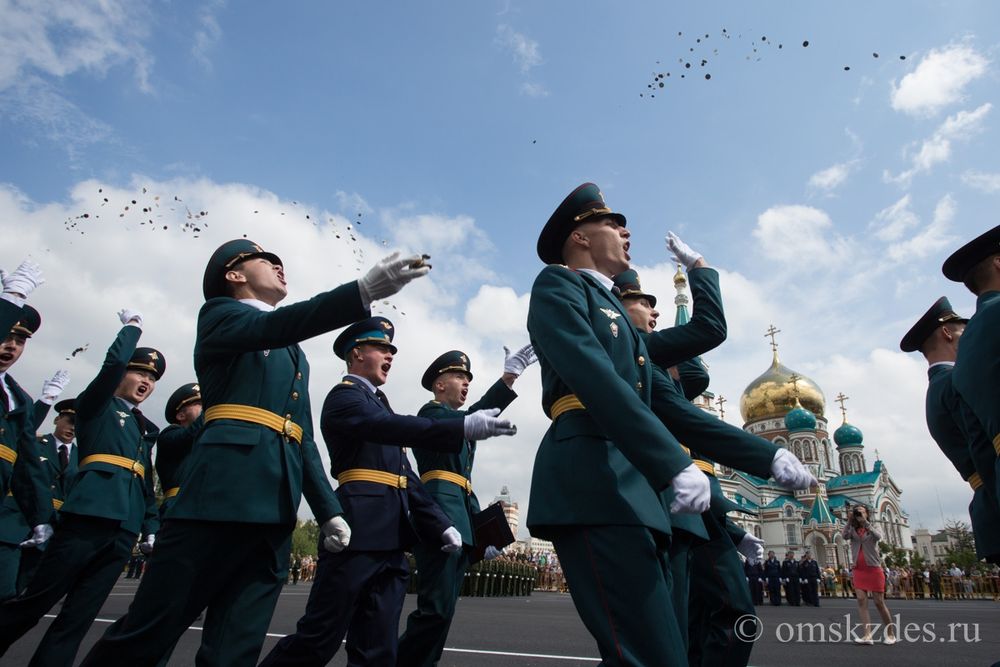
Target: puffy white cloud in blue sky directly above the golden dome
{"points": [[795, 234]]}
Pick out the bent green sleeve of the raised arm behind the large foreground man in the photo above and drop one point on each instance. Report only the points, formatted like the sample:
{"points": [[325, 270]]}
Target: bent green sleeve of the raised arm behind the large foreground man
{"points": [[704, 332]]}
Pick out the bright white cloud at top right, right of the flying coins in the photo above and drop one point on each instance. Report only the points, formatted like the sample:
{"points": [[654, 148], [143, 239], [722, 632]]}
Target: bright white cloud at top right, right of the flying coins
{"points": [[938, 81]]}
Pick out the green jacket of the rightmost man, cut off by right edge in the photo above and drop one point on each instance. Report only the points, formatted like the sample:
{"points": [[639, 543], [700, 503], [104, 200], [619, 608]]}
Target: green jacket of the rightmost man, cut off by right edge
{"points": [[977, 372]]}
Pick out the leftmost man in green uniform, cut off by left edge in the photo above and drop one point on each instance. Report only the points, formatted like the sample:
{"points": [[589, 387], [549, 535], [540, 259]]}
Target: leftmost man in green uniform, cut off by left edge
{"points": [[26, 500]]}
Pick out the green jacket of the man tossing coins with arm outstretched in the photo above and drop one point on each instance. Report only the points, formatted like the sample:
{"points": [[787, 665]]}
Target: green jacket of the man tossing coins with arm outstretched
{"points": [[244, 472]]}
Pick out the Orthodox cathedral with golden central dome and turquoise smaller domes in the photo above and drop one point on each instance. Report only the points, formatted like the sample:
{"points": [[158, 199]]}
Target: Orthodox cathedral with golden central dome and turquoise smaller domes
{"points": [[789, 409]]}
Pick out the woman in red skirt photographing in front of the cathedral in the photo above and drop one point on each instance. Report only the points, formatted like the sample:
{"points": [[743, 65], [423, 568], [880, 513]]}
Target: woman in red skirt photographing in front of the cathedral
{"points": [[869, 577]]}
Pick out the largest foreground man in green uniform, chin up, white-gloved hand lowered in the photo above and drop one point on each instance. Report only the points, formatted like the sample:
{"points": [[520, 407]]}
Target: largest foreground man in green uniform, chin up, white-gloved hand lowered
{"points": [[606, 455]]}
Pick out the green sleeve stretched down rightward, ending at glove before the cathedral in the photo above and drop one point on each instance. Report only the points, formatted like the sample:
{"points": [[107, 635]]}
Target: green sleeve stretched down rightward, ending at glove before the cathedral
{"points": [[711, 437]]}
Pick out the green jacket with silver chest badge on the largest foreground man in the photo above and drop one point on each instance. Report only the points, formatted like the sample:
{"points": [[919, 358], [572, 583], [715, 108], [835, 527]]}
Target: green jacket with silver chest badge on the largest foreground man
{"points": [[605, 464]]}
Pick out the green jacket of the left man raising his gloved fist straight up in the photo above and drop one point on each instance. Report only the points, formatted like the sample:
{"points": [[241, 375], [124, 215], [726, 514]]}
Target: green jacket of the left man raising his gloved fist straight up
{"points": [[106, 425]]}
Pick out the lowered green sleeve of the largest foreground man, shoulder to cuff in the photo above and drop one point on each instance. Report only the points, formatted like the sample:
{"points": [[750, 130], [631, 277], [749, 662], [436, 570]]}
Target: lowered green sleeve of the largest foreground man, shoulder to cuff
{"points": [[563, 337]]}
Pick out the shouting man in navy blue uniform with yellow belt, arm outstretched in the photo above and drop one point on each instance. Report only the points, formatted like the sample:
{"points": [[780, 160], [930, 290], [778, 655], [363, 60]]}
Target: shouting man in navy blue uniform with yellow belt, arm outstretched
{"points": [[359, 591]]}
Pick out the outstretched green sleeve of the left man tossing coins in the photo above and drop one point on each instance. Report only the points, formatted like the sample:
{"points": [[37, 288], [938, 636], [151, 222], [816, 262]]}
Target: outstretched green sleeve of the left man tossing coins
{"points": [[226, 326]]}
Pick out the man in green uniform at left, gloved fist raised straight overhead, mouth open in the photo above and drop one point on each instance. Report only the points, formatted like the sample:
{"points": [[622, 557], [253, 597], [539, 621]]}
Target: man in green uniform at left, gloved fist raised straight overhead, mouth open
{"points": [[109, 506]]}
